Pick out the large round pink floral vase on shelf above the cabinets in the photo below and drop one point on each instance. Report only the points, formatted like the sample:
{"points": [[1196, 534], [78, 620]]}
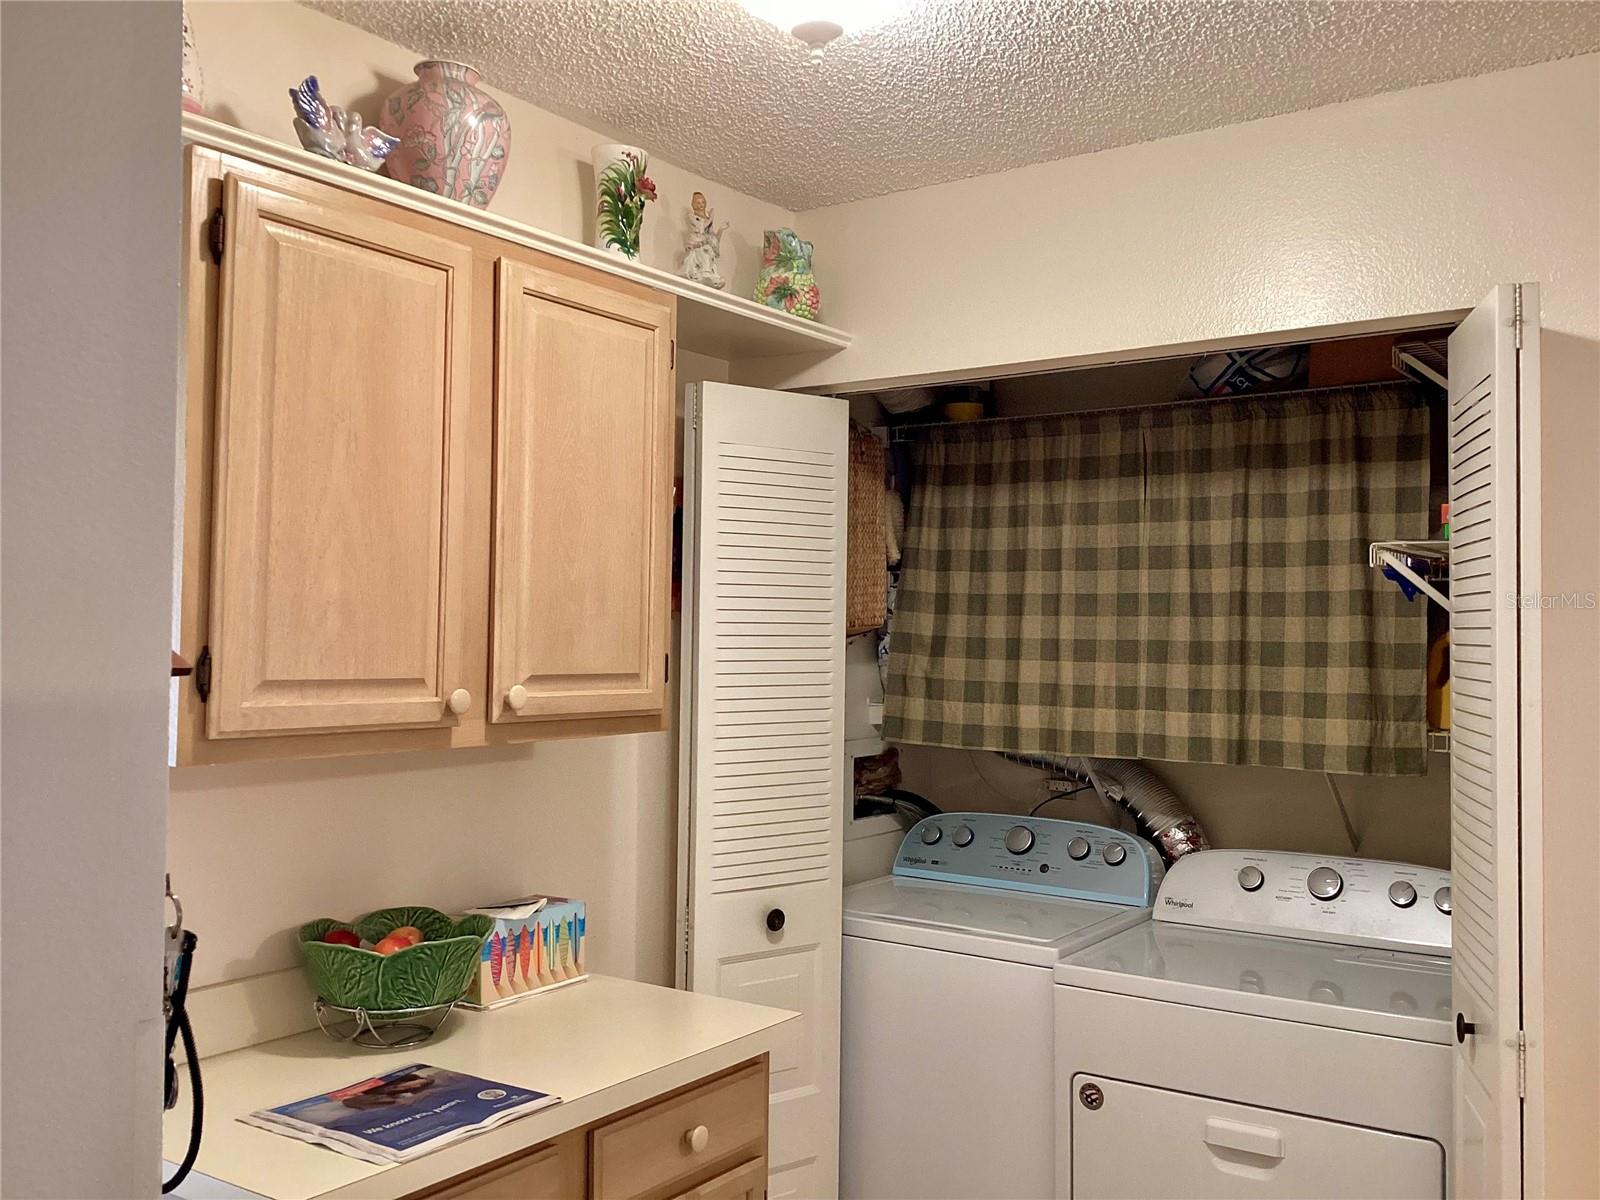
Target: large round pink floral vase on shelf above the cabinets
{"points": [[455, 138]]}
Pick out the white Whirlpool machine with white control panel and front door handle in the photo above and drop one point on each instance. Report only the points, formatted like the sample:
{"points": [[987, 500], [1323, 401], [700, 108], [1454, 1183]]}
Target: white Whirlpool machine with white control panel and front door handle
{"points": [[1281, 1028]]}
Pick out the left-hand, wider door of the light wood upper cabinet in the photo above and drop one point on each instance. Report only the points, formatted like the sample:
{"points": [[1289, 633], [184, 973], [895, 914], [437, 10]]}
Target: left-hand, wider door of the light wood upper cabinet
{"points": [[343, 362]]}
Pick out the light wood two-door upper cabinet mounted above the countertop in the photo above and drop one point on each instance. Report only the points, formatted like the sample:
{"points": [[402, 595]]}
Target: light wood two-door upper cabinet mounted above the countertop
{"points": [[425, 471]]}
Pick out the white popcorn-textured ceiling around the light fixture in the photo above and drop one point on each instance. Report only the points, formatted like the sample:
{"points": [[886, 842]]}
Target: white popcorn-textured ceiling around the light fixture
{"points": [[956, 89]]}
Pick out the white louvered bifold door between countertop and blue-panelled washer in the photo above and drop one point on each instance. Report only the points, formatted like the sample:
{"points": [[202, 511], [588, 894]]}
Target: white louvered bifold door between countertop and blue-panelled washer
{"points": [[762, 740]]}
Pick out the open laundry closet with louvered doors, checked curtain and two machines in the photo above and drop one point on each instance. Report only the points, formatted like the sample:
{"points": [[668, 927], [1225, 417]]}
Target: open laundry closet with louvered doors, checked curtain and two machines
{"points": [[1161, 777]]}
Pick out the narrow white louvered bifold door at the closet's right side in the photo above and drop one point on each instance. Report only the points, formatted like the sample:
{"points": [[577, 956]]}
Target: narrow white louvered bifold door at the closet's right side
{"points": [[1489, 356]]}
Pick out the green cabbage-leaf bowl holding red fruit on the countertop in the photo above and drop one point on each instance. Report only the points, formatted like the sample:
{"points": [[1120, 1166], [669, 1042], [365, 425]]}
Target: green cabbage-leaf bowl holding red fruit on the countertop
{"points": [[434, 972]]}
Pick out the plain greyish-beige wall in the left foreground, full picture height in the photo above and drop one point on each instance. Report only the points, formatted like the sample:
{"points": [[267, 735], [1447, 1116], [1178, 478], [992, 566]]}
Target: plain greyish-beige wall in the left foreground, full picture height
{"points": [[92, 182]]}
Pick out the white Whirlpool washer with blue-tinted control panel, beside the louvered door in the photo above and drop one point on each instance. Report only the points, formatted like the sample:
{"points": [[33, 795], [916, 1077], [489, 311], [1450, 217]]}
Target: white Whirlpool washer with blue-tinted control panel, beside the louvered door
{"points": [[946, 1025]]}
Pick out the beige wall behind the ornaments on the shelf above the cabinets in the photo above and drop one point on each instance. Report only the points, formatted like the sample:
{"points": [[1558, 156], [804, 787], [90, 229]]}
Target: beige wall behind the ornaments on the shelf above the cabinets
{"points": [[257, 50]]}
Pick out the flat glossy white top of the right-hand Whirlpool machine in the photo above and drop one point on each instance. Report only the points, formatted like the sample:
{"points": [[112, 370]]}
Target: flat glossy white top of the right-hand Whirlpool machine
{"points": [[1354, 988]]}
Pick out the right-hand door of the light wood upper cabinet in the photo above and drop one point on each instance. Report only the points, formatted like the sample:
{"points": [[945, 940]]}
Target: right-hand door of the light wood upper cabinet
{"points": [[583, 498]]}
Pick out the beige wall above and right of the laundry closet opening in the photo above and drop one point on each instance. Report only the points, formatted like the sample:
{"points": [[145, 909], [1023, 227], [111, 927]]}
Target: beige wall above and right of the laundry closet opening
{"points": [[1406, 204]]}
